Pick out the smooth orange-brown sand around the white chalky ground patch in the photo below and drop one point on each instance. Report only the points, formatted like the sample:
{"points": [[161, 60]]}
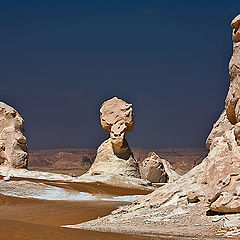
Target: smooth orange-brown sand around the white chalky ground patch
{"points": [[26, 218]]}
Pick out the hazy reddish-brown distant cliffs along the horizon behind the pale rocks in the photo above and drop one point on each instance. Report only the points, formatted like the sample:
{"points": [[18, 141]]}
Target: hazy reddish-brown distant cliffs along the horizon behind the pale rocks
{"points": [[70, 158]]}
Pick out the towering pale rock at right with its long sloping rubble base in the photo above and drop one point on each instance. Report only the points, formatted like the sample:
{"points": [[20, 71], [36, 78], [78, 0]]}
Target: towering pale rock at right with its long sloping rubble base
{"points": [[212, 186]]}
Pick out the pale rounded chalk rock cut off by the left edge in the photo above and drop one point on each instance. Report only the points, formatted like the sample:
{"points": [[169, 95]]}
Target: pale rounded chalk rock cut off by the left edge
{"points": [[13, 148]]}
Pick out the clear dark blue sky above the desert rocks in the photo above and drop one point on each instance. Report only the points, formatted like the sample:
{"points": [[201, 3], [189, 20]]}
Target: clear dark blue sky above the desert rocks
{"points": [[59, 60]]}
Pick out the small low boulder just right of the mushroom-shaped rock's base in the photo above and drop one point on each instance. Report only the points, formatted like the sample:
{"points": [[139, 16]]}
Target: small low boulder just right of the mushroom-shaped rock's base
{"points": [[157, 170]]}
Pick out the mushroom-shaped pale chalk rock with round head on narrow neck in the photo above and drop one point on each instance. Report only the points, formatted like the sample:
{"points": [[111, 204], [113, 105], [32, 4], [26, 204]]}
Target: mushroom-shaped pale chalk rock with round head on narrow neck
{"points": [[114, 155]]}
